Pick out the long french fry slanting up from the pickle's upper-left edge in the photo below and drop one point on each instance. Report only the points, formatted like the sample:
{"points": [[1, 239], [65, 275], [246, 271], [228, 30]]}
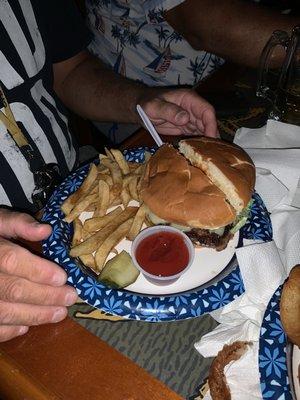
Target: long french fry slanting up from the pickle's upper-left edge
{"points": [[110, 242]]}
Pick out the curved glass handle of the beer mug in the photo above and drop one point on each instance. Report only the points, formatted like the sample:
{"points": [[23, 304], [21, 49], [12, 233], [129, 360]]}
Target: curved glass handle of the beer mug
{"points": [[278, 38]]}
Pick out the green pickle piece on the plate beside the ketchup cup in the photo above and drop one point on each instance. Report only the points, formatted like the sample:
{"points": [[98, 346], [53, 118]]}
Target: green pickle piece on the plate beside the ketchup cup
{"points": [[119, 271]]}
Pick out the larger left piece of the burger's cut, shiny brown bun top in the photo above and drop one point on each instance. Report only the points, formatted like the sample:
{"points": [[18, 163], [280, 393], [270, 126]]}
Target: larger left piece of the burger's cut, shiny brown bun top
{"points": [[177, 192]]}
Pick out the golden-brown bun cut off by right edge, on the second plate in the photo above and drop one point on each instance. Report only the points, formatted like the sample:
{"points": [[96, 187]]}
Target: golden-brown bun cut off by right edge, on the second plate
{"points": [[290, 306]]}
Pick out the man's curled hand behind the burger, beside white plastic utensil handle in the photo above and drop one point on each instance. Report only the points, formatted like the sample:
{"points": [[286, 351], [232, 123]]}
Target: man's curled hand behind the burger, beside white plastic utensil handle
{"points": [[181, 112]]}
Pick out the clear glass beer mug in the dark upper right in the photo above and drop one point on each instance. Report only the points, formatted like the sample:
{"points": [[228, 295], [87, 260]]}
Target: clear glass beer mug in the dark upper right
{"points": [[285, 98]]}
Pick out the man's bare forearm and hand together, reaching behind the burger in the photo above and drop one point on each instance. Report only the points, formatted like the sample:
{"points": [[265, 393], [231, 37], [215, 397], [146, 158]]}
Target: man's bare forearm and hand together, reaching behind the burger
{"points": [[88, 88]]}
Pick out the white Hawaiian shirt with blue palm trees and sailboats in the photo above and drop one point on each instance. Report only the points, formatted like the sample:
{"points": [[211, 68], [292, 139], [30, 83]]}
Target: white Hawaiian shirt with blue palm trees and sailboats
{"points": [[134, 39]]}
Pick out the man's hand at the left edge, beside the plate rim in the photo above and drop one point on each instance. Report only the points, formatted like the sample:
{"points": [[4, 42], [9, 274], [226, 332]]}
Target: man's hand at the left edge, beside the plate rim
{"points": [[32, 289]]}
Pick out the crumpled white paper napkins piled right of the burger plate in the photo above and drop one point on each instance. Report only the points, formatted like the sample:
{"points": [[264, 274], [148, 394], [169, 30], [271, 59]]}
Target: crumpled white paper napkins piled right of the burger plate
{"points": [[275, 151]]}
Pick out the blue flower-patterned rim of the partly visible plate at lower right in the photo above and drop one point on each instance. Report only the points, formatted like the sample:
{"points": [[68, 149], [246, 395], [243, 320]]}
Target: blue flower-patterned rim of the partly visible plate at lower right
{"points": [[272, 354]]}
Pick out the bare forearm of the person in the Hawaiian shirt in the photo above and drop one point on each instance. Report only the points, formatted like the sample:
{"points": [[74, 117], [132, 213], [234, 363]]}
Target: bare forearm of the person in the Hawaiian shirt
{"points": [[232, 29]]}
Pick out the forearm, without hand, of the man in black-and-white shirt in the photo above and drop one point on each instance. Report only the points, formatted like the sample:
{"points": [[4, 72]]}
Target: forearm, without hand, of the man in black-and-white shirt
{"points": [[94, 92]]}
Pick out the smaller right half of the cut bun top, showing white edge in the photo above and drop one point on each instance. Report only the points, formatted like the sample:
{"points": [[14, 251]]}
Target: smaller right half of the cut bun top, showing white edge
{"points": [[227, 165]]}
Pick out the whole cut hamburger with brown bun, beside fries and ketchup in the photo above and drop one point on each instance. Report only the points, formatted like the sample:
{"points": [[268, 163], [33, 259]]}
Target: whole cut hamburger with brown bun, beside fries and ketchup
{"points": [[204, 188]]}
